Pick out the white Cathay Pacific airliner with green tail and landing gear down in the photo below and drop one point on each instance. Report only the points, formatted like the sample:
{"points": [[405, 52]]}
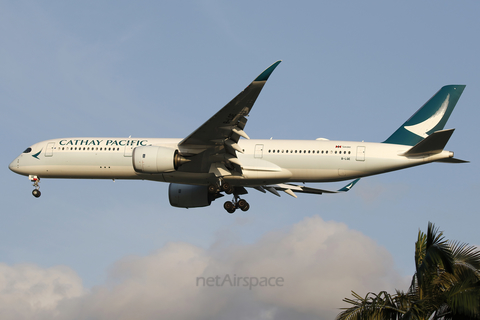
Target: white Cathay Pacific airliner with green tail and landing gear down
{"points": [[214, 159]]}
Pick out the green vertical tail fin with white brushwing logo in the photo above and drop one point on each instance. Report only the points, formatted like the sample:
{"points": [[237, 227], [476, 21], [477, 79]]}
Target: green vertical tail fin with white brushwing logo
{"points": [[431, 117]]}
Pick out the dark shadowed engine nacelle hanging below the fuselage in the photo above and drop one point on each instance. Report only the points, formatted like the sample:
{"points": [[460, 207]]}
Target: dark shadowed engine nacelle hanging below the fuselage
{"points": [[189, 196]]}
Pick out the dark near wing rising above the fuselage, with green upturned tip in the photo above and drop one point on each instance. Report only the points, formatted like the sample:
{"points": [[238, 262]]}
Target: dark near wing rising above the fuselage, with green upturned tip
{"points": [[212, 147]]}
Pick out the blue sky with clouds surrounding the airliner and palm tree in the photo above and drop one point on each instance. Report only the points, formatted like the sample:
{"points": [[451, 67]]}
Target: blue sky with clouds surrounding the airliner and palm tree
{"points": [[350, 71]]}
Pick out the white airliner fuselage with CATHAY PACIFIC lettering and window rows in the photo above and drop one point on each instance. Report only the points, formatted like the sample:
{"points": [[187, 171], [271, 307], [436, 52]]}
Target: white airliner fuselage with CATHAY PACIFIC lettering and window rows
{"points": [[263, 161]]}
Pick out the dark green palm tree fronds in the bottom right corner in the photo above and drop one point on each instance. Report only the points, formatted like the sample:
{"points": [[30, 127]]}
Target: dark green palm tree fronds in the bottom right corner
{"points": [[446, 285]]}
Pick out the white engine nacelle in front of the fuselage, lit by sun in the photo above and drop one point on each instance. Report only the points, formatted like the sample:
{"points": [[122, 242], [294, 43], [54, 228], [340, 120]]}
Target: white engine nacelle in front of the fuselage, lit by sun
{"points": [[153, 159]]}
